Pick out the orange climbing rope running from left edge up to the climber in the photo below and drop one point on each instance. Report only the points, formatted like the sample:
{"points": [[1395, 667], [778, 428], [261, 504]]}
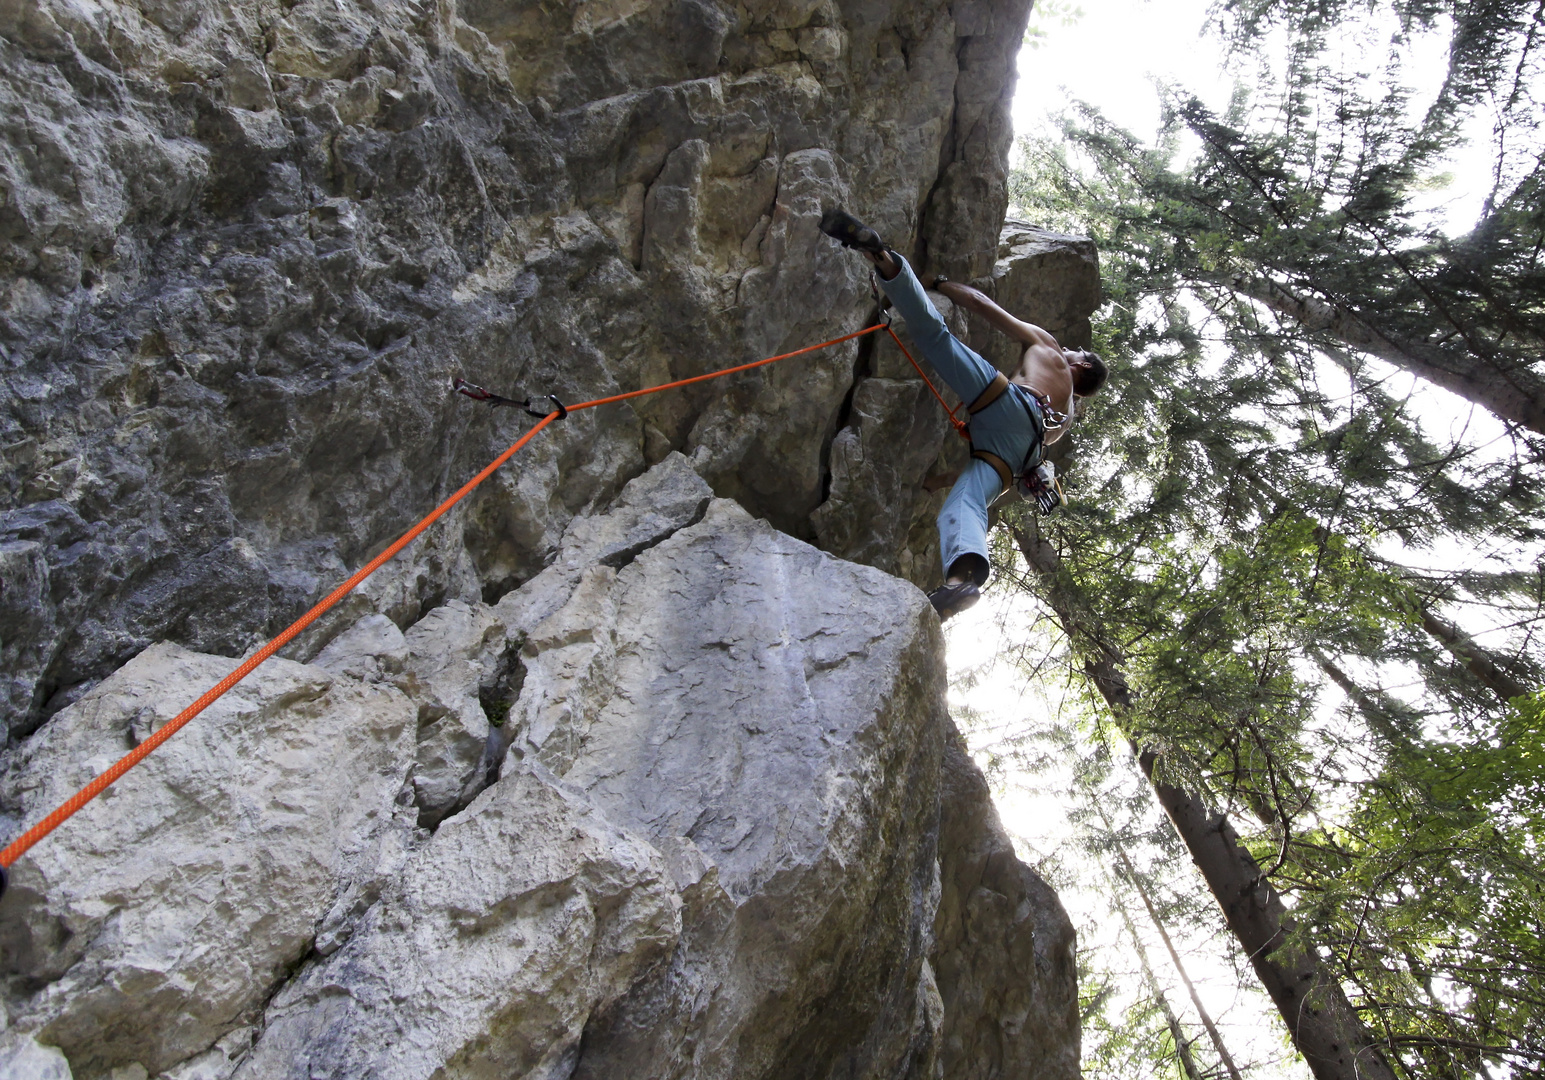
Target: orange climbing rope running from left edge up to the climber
{"points": [[90, 792]]}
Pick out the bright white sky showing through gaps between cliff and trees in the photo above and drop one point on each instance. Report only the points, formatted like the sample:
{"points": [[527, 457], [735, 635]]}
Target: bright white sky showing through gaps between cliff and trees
{"points": [[1112, 56]]}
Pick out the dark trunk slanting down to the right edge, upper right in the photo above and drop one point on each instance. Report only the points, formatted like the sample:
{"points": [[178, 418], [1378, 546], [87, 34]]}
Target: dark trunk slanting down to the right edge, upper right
{"points": [[1516, 396]]}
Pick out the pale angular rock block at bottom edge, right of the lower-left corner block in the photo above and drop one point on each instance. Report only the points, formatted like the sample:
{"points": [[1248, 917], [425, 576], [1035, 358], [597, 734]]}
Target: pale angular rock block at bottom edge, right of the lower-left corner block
{"points": [[500, 939]]}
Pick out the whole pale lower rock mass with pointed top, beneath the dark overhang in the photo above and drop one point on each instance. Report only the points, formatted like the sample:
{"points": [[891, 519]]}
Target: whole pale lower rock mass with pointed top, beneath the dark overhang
{"points": [[719, 826]]}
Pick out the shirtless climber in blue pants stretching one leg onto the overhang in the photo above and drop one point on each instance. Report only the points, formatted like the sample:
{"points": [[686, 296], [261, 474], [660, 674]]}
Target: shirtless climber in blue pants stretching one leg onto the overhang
{"points": [[1011, 416]]}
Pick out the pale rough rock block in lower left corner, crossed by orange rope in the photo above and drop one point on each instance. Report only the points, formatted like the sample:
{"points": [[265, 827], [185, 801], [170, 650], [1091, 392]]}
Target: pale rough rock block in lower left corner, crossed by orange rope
{"points": [[172, 905]]}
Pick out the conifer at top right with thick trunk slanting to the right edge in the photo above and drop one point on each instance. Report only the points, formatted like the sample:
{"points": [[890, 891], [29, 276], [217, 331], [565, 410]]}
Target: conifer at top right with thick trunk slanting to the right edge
{"points": [[1302, 202]]}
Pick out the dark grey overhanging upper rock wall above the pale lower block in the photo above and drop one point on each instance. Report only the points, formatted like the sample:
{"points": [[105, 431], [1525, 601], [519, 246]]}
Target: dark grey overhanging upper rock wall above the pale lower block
{"points": [[243, 248]]}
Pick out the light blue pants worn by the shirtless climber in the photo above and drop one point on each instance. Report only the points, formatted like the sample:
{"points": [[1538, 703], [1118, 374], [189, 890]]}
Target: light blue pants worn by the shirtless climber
{"points": [[1003, 429]]}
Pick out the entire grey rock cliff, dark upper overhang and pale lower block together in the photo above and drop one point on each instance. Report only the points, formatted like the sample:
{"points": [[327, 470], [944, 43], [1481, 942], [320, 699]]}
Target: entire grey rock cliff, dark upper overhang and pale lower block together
{"points": [[611, 773]]}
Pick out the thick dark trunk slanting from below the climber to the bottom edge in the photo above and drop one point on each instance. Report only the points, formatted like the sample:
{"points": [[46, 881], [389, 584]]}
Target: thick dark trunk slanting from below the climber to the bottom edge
{"points": [[1319, 1016]]}
